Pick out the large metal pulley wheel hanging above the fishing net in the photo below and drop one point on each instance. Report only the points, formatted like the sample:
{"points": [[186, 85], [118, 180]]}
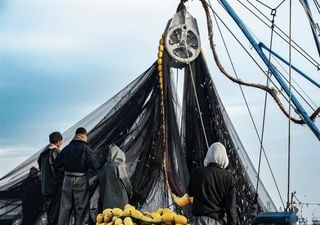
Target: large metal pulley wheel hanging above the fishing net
{"points": [[182, 39]]}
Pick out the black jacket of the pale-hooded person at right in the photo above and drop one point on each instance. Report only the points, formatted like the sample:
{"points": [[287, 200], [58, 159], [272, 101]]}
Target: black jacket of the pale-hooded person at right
{"points": [[213, 189]]}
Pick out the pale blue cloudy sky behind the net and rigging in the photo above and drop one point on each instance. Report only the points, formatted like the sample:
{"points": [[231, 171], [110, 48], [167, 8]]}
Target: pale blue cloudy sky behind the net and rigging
{"points": [[59, 60]]}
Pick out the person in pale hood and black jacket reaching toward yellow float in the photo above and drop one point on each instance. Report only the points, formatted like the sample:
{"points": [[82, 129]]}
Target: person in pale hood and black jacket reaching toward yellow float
{"points": [[212, 190]]}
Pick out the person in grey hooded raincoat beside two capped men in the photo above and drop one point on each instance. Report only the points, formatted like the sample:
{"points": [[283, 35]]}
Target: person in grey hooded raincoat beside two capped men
{"points": [[114, 181]]}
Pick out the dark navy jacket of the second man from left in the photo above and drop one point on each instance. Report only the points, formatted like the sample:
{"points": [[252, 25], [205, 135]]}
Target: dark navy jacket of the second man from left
{"points": [[76, 157]]}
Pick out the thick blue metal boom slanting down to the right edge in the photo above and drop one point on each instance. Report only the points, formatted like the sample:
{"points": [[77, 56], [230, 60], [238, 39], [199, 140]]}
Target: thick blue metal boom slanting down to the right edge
{"points": [[272, 68]]}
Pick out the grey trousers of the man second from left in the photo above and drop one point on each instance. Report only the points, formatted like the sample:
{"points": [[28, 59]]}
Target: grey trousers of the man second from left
{"points": [[75, 196]]}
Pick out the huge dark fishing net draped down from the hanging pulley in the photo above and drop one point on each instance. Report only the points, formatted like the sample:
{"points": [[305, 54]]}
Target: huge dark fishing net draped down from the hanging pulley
{"points": [[162, 146]]}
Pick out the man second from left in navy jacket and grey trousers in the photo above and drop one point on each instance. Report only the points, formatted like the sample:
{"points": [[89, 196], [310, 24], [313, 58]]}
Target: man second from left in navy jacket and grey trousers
{"points": [[77, 160]]}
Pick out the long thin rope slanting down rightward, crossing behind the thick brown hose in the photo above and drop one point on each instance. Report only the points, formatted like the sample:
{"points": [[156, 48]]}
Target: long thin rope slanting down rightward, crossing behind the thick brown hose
{"points": [[250, 114]]}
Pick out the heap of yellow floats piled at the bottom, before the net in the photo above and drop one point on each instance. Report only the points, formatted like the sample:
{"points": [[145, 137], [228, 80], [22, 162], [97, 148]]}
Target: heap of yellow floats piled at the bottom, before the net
{"points": [[131, 216]]}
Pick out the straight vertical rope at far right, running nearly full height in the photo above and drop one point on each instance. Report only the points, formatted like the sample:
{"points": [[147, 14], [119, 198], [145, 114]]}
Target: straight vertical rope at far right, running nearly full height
{"points": [[289, 122]]}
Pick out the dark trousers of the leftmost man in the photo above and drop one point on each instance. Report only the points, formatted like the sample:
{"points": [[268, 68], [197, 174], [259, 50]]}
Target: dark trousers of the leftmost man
{"points": [[52, 207]]}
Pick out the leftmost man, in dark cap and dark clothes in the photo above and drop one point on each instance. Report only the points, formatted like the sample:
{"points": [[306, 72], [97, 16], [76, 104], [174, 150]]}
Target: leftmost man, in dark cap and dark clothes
{"points": [[51, 179]]}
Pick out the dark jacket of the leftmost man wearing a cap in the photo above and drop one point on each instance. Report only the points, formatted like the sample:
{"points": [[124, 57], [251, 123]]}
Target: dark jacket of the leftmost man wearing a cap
{"points": [[51, 179]]}
